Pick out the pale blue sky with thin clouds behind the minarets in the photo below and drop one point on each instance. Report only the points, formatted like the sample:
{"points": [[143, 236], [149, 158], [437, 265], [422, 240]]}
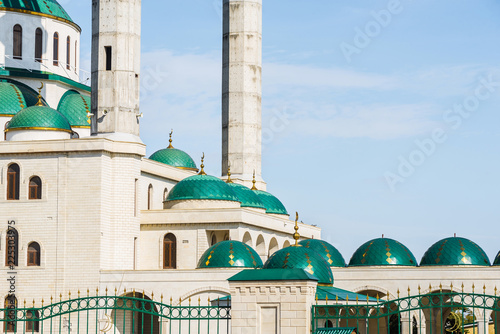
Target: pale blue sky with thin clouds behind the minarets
{"points": [[346, 123]]}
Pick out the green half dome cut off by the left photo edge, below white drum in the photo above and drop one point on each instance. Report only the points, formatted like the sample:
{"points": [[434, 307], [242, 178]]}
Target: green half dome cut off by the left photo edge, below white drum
{"points": [[15, 96]]}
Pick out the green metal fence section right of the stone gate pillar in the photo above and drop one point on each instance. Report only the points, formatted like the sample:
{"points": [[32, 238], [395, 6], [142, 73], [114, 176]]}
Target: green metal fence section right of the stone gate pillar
{"points": [[440, 312]]}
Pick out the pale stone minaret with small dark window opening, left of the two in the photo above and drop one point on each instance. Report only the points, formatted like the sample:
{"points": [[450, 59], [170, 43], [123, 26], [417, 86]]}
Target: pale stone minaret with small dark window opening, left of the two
{"points": [[116, 51]]}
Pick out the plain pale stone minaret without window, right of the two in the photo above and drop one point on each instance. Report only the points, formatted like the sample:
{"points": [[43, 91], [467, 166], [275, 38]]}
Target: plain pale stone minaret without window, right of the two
{"points": [[242, 90]]}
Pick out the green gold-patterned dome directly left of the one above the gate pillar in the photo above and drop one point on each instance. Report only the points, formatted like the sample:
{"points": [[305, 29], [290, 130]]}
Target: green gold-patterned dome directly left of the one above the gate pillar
{"points": [[229, 254]]}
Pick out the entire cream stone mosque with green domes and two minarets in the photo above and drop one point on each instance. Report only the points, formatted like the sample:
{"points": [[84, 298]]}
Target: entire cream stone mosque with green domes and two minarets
{"points": [[84, 211]]}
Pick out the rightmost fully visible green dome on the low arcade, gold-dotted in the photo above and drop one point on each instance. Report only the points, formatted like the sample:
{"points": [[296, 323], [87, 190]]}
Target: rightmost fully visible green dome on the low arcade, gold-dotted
{"points": [[455, 252]]}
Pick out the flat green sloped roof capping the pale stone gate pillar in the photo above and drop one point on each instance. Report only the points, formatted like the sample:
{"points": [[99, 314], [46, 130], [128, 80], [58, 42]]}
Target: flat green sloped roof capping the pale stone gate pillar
{"points": [[272, 275]]}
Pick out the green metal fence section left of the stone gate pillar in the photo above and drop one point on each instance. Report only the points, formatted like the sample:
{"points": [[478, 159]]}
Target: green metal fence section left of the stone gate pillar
{"points": [[131, 314]]}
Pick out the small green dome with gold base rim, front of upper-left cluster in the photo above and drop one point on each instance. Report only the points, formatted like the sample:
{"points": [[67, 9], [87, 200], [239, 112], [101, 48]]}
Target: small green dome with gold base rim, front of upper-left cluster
{"points": [[39, 118]]}
